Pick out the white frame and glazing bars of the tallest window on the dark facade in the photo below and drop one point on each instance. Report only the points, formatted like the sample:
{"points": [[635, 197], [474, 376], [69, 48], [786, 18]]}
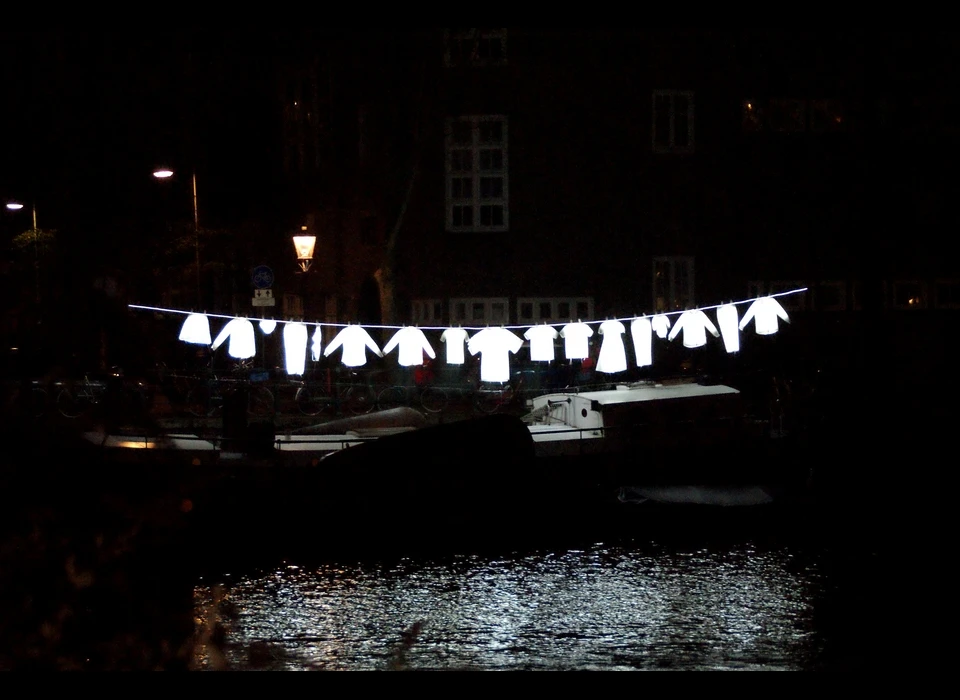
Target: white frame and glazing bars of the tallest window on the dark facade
{"points": [[476, 201]]}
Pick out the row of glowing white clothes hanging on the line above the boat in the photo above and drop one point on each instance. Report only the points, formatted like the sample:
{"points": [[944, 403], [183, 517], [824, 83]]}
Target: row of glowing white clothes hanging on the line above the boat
{"points": [[495, 344]]}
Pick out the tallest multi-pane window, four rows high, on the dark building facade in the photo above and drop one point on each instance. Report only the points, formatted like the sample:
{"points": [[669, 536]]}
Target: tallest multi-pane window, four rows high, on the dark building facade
{"points": [[477, 183]]}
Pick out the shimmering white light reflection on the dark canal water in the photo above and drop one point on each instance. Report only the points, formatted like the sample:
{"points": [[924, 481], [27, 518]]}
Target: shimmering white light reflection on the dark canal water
{"points": [[596, 609]]}
